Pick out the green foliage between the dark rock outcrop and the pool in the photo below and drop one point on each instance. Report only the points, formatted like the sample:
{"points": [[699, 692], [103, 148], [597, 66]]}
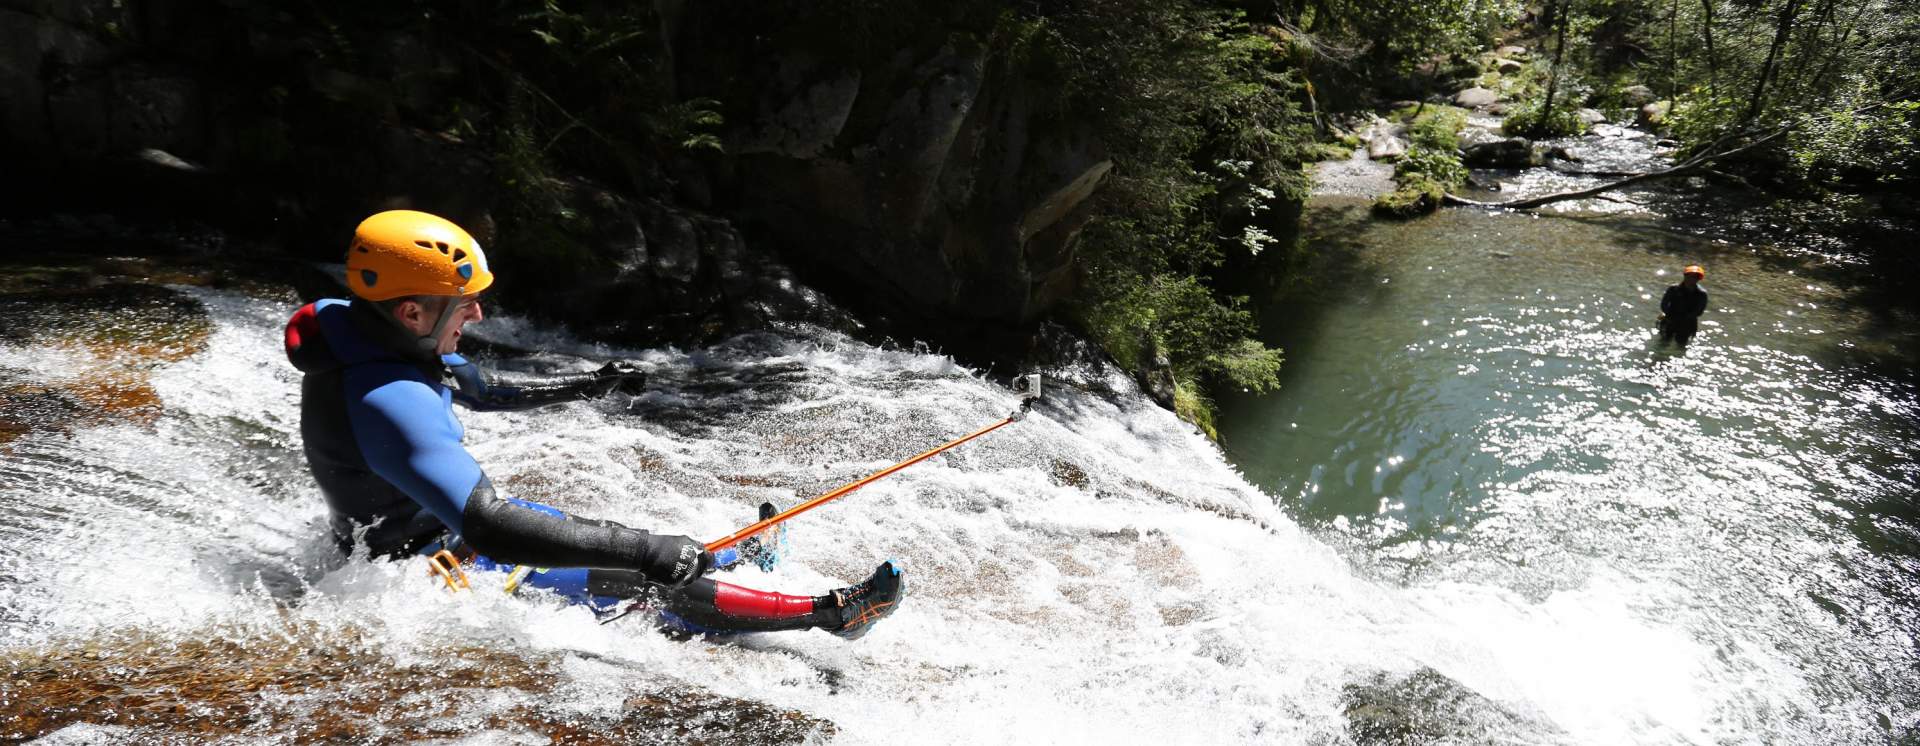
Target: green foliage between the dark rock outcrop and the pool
{"points": [[1199, 110]]}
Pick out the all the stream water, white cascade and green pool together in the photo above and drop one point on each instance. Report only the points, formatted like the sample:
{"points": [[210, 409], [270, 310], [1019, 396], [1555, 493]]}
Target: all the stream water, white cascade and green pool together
{"points": [[1483, 509]]}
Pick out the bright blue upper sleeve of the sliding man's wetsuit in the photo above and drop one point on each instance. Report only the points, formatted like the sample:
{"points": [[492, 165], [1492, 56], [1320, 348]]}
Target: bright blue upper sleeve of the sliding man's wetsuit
{"points": [[410, 442]]}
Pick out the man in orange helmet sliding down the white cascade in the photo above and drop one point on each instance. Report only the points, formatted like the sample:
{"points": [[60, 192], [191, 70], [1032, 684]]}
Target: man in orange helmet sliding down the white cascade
{"points": [[383, 442]]}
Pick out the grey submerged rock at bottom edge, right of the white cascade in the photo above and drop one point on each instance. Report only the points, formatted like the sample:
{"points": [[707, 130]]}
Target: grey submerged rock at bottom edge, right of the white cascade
{"points": [[1429, 709]]}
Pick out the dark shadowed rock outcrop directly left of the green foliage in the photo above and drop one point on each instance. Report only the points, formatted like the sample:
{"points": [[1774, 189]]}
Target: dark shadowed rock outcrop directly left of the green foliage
{"points": [[928, 181]]}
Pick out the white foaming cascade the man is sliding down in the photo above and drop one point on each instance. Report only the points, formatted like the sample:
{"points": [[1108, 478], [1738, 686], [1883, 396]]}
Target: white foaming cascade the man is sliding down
{"points": [[1095, 572]]}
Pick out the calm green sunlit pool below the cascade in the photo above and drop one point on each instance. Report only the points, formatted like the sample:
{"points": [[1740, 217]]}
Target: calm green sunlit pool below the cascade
{"points": [[1481, 398]]}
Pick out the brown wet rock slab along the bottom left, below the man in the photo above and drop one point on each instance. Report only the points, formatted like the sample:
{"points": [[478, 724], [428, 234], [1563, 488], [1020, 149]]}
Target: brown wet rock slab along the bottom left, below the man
{"points": [[314, 686]]}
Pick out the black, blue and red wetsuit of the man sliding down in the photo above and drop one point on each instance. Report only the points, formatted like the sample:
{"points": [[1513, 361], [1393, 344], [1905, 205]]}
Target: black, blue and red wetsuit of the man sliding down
{"points": [[385, 448]]}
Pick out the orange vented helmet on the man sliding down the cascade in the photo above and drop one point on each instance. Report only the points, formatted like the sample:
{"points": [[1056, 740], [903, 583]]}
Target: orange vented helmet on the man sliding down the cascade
{"points": [[406, 252]]}
